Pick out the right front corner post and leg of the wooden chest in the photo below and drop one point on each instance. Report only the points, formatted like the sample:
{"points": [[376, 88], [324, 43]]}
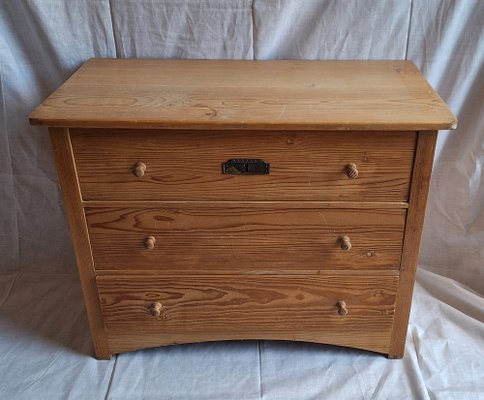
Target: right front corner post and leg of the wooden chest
{"points": [[413, 231]]}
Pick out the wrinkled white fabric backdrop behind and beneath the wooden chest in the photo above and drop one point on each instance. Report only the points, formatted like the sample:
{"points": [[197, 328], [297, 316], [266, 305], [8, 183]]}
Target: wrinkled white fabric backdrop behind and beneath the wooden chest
{"points": [[44, 346]]}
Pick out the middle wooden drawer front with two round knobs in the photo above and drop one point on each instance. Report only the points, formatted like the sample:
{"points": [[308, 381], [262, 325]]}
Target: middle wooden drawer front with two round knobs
{"points": [[208, 238]]}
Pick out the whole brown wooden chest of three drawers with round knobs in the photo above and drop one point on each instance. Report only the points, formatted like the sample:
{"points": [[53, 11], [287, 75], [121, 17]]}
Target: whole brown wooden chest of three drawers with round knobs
{"points": [[218, 200]]}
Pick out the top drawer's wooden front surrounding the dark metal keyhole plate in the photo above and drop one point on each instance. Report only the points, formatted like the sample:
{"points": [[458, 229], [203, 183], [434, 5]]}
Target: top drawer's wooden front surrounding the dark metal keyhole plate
{"points": [[187, 165]]}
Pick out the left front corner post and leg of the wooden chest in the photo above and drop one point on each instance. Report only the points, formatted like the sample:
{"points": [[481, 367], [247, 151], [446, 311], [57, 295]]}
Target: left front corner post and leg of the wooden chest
{"points": [[77, 222]]}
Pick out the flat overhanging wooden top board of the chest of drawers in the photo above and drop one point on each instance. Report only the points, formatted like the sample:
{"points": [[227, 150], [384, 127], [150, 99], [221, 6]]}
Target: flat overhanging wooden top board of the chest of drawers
{"points": [[220, 94]]}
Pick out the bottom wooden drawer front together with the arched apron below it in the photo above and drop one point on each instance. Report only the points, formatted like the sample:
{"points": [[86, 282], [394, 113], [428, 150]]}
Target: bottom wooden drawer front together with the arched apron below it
{"points": [[347, 310]]}
